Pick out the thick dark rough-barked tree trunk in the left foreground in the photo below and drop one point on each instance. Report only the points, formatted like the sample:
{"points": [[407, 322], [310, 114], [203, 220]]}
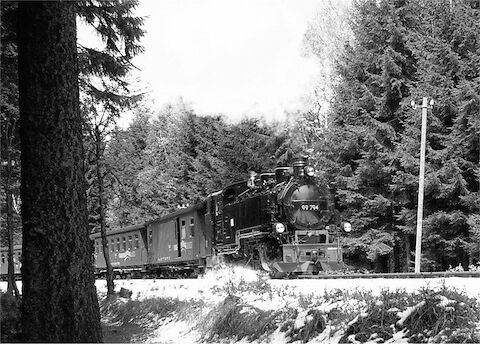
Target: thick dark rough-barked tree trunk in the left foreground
{"points": [[59, 301]]}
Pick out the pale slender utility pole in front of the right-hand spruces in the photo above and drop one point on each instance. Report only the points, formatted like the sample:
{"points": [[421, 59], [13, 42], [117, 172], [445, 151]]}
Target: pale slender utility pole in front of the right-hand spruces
{"points": [[421, 182]]}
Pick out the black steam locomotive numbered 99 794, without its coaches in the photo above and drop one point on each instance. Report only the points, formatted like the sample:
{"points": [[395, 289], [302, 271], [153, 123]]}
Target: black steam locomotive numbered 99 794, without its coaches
{"points": [[283, 221]]}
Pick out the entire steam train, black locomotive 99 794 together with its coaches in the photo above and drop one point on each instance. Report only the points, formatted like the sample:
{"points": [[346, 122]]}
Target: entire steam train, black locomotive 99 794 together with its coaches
{"points": [[283, 222]]}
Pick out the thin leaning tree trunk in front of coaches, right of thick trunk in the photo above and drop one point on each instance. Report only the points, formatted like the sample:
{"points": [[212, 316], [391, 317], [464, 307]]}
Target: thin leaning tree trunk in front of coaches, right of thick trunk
{"points": [[101, 203]]}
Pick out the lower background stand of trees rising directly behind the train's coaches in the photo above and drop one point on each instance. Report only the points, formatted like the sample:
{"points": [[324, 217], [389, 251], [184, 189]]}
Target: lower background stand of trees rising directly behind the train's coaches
{"points": [[178, 158]]}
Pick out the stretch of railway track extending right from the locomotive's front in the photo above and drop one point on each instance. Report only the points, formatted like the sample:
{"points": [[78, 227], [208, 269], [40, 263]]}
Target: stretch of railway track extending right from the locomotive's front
{"points": [[444, 274]]}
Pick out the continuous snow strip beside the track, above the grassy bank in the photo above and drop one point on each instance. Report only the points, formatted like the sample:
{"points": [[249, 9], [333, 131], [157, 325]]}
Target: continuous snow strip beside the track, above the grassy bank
{"points": [[214, 285]]}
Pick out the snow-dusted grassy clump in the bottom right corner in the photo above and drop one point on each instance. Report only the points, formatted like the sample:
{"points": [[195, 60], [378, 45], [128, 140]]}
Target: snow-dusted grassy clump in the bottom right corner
{"points": [[430, 316]]}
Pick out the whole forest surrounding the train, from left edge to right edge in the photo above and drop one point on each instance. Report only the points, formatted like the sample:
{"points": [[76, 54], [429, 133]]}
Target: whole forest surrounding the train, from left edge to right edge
{"points": [[366, 145]]}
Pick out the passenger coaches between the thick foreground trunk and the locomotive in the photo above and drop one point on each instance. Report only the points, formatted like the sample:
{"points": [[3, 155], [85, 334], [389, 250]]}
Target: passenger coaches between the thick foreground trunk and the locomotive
{"points": [[176, 244]]}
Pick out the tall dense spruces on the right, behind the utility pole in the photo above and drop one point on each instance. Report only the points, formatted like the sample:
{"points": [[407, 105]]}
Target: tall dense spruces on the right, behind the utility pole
{"points": [[404, 50]]}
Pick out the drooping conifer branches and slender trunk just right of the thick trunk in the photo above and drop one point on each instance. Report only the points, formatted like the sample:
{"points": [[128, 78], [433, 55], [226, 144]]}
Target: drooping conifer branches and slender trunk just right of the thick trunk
{"points": [[121, 31]]}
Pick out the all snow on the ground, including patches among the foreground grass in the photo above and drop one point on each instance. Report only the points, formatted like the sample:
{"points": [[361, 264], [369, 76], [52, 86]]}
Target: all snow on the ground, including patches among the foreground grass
{"points": [[257, 290]]}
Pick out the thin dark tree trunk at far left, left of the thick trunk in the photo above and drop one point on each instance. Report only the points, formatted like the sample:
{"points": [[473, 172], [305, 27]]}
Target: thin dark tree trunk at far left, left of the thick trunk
{"points": [[11, 284]]}
